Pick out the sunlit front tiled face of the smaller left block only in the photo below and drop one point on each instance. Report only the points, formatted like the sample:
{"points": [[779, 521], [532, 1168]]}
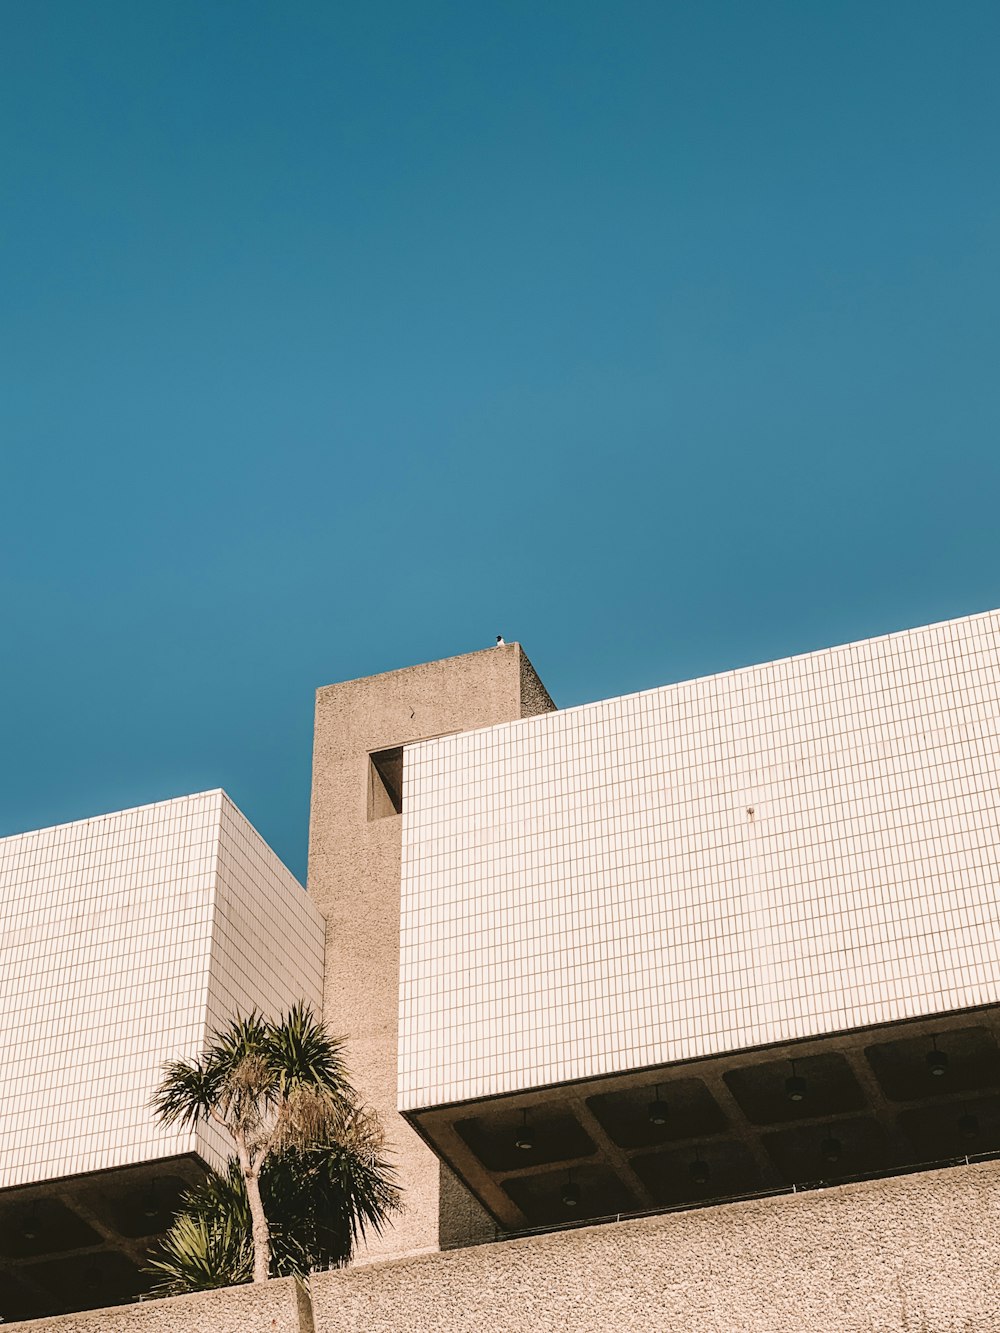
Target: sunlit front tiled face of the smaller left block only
{"points": [[105, 943]]}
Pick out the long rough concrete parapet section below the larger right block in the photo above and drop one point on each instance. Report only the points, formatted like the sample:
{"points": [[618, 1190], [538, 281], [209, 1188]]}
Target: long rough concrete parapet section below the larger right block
{"points": [[911, 1255]]}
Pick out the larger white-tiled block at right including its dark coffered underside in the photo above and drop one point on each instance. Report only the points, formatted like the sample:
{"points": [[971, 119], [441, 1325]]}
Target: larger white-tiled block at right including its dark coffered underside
{"points": [[722, 938]]}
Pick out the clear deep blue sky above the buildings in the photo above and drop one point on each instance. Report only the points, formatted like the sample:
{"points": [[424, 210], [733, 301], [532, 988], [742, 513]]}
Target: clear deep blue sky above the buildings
{"points": [[663, 338]]}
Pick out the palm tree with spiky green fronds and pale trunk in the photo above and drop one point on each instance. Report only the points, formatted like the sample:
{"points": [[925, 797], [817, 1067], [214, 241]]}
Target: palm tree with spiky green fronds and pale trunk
{"points": [[305, 1148]]}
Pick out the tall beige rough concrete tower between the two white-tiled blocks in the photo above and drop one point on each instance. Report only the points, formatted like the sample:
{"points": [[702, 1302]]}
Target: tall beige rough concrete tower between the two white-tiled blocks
{"points": [[355, 848]]}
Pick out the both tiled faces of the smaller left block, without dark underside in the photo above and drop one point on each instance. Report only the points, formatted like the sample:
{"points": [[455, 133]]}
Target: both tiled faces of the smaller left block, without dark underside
{"points": [[122, 940]]}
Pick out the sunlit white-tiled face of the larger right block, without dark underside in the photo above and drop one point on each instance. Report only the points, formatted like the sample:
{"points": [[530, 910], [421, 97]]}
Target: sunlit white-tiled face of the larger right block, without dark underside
{"points": [[777, 852]]}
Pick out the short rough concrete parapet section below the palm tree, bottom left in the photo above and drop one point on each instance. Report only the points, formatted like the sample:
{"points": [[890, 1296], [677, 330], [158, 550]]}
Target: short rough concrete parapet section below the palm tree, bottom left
{"points": [[281, 1307]]}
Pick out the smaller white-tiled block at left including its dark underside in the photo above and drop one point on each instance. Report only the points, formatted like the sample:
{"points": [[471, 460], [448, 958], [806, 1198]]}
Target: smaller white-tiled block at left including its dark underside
{"points": [[125, 940]]}
